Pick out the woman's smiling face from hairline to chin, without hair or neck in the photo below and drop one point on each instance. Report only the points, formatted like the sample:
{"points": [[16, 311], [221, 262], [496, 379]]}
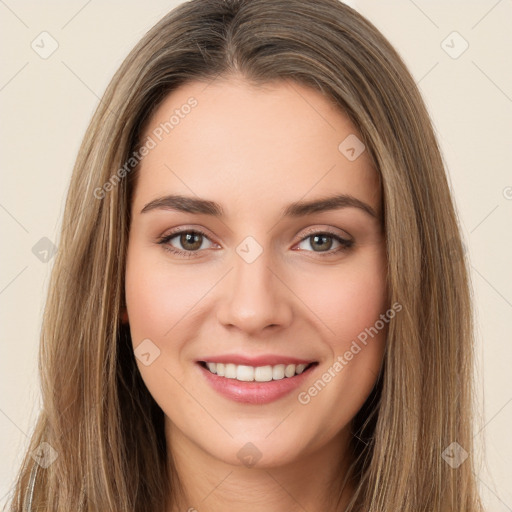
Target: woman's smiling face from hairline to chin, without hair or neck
{"points": [[239, 271]]}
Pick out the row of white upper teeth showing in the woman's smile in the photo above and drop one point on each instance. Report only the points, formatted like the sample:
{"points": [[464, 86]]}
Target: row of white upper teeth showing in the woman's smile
{"points": [[246, 373]]}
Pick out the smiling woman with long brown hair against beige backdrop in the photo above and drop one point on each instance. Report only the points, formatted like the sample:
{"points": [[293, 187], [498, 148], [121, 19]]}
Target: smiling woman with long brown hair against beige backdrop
{"points": [[201, 348]]}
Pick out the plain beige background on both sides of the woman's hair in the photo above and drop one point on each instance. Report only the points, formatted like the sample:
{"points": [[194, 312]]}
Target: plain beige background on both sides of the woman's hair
{"points": [[46, 105]]}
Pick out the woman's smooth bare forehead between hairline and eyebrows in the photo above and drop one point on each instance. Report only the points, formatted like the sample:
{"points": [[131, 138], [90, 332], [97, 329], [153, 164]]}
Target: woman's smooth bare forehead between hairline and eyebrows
{"points": [[245, 145]]}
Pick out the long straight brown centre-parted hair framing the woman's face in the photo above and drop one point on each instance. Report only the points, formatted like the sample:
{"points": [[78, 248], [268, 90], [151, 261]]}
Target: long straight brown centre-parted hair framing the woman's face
{"points": [[99, 419]]}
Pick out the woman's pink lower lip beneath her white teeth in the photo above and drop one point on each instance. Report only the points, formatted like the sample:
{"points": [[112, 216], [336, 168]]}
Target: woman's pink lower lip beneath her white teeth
{"points": [[255, 392]]}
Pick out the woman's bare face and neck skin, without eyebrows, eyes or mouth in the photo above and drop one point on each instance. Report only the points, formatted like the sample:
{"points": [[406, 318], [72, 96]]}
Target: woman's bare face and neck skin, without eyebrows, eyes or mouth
{"points": [[254, 150]]}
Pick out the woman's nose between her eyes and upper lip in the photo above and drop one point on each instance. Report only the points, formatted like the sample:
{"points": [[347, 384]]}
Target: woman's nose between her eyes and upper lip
{"points": [[255, 298]]}
